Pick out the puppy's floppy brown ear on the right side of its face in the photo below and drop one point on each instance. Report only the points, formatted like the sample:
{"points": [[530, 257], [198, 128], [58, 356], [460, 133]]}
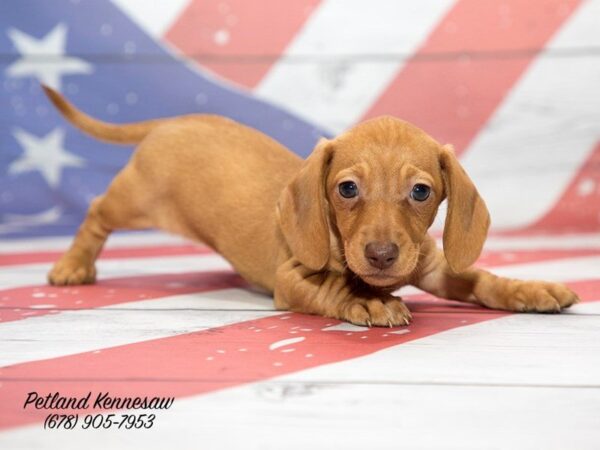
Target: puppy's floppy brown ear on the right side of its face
{"points": [[467, 219]]}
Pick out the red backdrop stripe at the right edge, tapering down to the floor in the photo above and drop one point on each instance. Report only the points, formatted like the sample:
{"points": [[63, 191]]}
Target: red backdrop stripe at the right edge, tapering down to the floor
{"points": [[578, 210]]}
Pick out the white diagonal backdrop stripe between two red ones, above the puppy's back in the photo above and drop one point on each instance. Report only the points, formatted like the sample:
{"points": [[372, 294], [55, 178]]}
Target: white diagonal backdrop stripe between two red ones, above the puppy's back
{"points": [[336, 90]]}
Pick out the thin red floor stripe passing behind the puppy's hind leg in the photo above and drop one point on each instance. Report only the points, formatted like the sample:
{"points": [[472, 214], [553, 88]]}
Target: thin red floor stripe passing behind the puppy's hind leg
{"points": [[16, 258]]}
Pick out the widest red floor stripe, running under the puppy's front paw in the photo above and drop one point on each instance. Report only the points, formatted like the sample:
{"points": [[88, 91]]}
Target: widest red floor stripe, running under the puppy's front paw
{"points": [[202, 362]]}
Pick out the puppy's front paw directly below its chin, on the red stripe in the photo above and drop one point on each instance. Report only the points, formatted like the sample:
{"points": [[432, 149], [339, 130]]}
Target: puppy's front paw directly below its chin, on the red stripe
{"points": [[386, 312]]}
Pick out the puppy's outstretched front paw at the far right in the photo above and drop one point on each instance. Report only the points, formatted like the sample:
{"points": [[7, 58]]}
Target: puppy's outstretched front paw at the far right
{"points": [[540, 296]]}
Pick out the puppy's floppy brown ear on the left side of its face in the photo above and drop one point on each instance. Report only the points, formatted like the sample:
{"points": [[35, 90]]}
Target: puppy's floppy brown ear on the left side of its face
{"points": [[303, 210]]}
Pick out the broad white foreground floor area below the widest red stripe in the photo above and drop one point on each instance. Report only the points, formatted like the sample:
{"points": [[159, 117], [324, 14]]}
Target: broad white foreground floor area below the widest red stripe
{"points": [[482, 398]]}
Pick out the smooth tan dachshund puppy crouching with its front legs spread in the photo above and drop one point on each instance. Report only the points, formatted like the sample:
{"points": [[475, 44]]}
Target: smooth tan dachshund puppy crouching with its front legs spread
{"points": [[333, 235]]}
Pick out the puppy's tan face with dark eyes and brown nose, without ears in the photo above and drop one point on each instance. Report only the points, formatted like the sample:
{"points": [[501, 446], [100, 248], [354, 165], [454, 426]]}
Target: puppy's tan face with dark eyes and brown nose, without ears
{"points": [[383, 187]]}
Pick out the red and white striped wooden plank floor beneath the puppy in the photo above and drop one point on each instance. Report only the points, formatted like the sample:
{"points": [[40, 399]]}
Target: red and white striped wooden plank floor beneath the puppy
{"points": [[243, 374]]}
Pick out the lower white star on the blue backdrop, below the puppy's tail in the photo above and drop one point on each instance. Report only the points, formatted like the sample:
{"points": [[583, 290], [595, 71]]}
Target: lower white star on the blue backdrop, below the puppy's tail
{"points": [[45, 154]]}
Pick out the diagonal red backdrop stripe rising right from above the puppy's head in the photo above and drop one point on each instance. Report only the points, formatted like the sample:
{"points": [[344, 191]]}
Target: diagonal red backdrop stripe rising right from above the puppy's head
{"points": [[453, 97]]}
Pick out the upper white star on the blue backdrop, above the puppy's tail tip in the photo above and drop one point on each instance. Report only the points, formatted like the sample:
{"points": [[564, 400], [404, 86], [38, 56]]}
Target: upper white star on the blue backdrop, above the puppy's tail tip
{"points": [[45, 58]]}
